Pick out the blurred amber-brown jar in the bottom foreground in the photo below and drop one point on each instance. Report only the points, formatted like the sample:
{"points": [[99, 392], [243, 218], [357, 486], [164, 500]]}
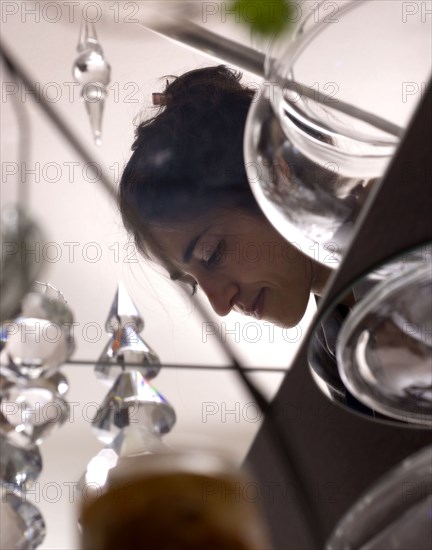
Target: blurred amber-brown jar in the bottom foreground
{"points": [[183, 500]]}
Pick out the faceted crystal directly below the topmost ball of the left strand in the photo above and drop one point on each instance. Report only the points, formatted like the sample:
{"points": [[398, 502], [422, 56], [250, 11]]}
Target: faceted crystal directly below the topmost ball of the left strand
{"points": [[28, 412]]}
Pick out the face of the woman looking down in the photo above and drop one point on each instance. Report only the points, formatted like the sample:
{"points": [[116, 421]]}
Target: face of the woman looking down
{"points": [[240, 262]]}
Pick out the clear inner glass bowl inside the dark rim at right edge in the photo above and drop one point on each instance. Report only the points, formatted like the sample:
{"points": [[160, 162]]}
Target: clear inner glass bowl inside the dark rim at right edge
{"points": [[384, 350]]}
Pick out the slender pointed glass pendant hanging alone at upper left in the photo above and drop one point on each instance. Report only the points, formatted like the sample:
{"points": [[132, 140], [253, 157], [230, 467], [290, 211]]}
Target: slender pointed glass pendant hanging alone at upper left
{"points": [[92, 71]]}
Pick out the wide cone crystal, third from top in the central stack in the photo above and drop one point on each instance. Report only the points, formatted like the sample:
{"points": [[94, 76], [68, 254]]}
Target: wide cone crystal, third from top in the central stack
{"points": [[132, 401]]}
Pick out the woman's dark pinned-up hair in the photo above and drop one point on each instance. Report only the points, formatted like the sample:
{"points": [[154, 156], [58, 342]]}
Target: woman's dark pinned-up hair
{"points": [[189, 157]]}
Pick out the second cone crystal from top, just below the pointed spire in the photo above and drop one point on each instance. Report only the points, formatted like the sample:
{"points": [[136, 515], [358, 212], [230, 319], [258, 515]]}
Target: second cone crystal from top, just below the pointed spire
{"points": [[130, 349]]}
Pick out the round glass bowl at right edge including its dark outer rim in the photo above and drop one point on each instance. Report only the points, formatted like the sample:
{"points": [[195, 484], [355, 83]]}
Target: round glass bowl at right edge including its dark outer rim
{"points": [[374, 355]]}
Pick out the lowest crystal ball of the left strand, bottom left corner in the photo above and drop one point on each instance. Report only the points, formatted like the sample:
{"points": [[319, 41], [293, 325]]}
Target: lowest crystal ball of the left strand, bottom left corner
{"points": [[22, 525]]}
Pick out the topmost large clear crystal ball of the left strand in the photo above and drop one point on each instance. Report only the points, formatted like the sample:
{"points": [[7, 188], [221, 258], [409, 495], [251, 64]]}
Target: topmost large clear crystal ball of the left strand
{"points": [[40, 340]]}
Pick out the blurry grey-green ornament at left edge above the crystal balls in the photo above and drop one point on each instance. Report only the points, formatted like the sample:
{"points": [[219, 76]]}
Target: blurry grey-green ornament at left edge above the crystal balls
{"points": [[19, 268]]}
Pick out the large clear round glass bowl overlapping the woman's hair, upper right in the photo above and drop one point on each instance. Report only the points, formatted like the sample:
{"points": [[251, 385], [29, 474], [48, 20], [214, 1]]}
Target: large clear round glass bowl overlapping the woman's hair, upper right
{"points": [[338, 95]]}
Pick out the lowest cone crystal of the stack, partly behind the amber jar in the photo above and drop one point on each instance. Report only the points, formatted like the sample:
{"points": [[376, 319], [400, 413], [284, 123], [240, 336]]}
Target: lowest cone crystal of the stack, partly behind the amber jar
{"points": [[131, 441]]}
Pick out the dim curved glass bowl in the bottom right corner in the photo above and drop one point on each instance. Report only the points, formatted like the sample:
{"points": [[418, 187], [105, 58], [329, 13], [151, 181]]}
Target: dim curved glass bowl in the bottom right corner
{"points": [[394, 514]]}
